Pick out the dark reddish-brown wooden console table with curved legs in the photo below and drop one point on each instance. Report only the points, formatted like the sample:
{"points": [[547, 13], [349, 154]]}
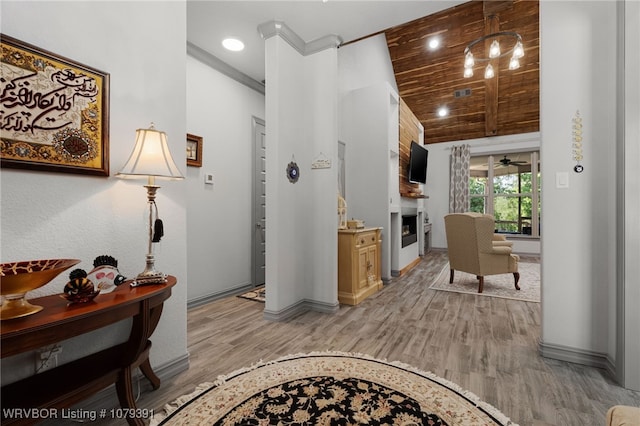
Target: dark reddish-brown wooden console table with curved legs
{"points": [[68, 384]]}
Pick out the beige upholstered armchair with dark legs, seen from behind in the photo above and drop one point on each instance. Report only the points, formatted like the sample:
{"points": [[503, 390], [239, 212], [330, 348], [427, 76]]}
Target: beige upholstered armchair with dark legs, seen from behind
{"points": [[472, 248]]}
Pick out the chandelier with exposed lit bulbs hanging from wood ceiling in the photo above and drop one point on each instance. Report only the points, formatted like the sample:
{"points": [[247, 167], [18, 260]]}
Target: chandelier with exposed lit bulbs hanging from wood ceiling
{"points": [[496, 52]]}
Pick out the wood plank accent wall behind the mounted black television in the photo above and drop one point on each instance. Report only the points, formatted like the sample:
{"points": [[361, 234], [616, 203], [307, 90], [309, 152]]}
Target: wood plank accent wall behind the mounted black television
{"points": [[410, 130]]}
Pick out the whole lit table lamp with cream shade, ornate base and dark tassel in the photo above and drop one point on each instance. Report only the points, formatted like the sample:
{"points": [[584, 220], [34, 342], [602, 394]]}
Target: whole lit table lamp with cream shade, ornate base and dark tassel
{"points": [[151, 158]]}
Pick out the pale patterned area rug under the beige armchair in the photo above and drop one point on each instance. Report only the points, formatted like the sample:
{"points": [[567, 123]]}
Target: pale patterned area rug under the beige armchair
{"points": [[494, 285]]}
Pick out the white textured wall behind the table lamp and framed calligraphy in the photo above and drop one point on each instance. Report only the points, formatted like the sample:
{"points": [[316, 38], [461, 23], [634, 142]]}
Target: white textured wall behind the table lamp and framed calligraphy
{"points": [[51, 215]]}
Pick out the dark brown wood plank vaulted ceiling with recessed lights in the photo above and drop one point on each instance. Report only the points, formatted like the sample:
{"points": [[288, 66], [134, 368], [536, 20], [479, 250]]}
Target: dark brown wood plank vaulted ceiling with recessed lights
{"points": [[428, 79]]}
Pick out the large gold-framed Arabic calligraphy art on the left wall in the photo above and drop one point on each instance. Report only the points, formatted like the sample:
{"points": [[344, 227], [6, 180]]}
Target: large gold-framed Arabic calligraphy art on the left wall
{"points": [[54, 112]]}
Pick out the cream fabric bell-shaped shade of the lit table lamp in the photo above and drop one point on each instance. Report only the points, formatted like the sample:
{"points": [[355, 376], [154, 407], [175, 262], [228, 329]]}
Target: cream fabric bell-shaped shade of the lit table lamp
{"points": [[151, 157]]}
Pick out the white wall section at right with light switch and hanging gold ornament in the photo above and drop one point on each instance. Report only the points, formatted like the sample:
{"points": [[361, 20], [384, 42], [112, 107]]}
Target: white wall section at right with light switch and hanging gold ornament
{"points": [[578, 57]]}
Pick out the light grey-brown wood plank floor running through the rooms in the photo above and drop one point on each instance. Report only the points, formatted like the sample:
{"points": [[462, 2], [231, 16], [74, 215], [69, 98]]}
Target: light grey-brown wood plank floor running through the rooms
{"points": [[486, 345]]}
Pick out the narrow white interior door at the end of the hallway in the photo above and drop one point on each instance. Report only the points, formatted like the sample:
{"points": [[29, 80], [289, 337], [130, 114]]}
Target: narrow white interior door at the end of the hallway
{"points": [[259, 202]]}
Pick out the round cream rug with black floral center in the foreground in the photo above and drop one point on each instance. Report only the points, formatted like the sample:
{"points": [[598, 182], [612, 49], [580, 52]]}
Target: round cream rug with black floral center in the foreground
{"points": [[330, 388]]}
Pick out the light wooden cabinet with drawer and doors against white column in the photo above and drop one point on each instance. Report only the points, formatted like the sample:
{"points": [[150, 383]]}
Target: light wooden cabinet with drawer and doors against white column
{"points": [[359, 268]]}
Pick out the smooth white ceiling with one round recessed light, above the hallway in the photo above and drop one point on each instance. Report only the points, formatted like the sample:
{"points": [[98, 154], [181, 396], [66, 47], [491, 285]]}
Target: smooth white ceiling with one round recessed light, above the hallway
{"points": [[209, 22]]}
